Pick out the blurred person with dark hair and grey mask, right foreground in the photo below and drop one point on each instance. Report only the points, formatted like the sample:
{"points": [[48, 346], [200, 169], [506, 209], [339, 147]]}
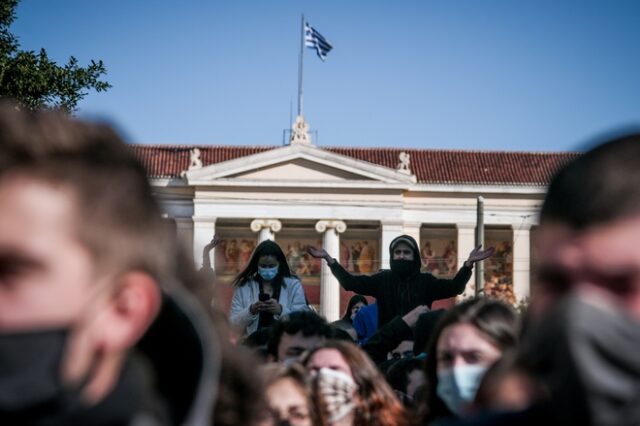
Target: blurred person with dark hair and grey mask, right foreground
{"points": [[586, 296]]}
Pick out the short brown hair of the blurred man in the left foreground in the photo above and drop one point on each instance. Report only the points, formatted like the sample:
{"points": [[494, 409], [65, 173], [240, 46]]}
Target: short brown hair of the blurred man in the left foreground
{"points": [[116, 216]]}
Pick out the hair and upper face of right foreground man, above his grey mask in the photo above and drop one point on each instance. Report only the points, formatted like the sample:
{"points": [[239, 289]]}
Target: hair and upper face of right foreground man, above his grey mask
{"points": [[590, 228]]}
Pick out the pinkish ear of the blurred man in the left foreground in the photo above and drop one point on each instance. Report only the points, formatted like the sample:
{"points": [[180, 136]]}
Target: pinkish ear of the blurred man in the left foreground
{"points": [[131, 310]]}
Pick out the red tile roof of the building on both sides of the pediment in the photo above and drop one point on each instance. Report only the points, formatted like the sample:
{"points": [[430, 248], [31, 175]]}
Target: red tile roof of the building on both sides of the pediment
{"points": [[429, 166]]}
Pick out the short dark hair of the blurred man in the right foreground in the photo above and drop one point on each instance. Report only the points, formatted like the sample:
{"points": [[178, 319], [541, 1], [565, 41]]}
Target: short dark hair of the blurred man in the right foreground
{"points": [[601, 186]]}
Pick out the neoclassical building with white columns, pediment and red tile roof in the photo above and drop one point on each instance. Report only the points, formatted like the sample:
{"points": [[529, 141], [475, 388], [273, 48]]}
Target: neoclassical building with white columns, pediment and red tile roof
{"points": [[353, 202]]}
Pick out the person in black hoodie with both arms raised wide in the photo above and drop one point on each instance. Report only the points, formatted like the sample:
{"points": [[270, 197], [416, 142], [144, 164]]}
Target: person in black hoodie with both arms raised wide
{"points": [[404, 287]]}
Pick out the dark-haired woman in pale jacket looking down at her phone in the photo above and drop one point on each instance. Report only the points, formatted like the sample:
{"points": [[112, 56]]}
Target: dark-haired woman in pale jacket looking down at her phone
{"points": [[265, 290]]}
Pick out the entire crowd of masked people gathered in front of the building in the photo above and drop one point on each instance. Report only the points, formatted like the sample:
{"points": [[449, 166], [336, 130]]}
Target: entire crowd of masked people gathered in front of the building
{"points": [[104, 320]]}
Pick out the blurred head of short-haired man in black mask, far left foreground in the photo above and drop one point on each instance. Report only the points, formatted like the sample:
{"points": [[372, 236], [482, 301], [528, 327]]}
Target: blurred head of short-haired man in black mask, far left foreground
{"points": [[84, 253]]}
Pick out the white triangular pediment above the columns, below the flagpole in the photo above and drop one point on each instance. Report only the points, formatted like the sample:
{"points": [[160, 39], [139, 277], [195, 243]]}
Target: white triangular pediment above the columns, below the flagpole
{"points": [[298, 164]]}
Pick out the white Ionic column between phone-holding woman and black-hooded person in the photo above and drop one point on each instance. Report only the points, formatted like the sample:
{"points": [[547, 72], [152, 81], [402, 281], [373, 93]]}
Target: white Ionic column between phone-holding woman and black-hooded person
{"points": [[329, 286]]}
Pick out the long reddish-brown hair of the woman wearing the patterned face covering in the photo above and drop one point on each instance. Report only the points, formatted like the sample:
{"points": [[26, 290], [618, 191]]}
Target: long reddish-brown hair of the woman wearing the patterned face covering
{"points": [[378, 404]]}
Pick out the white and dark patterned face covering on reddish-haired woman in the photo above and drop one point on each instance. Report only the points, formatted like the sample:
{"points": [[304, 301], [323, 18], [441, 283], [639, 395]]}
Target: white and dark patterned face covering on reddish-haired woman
{"points": [[338, 393]]}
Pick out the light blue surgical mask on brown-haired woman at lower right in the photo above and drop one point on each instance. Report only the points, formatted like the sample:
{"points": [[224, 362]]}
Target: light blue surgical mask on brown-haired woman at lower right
{"points": [[457, 387]]}
